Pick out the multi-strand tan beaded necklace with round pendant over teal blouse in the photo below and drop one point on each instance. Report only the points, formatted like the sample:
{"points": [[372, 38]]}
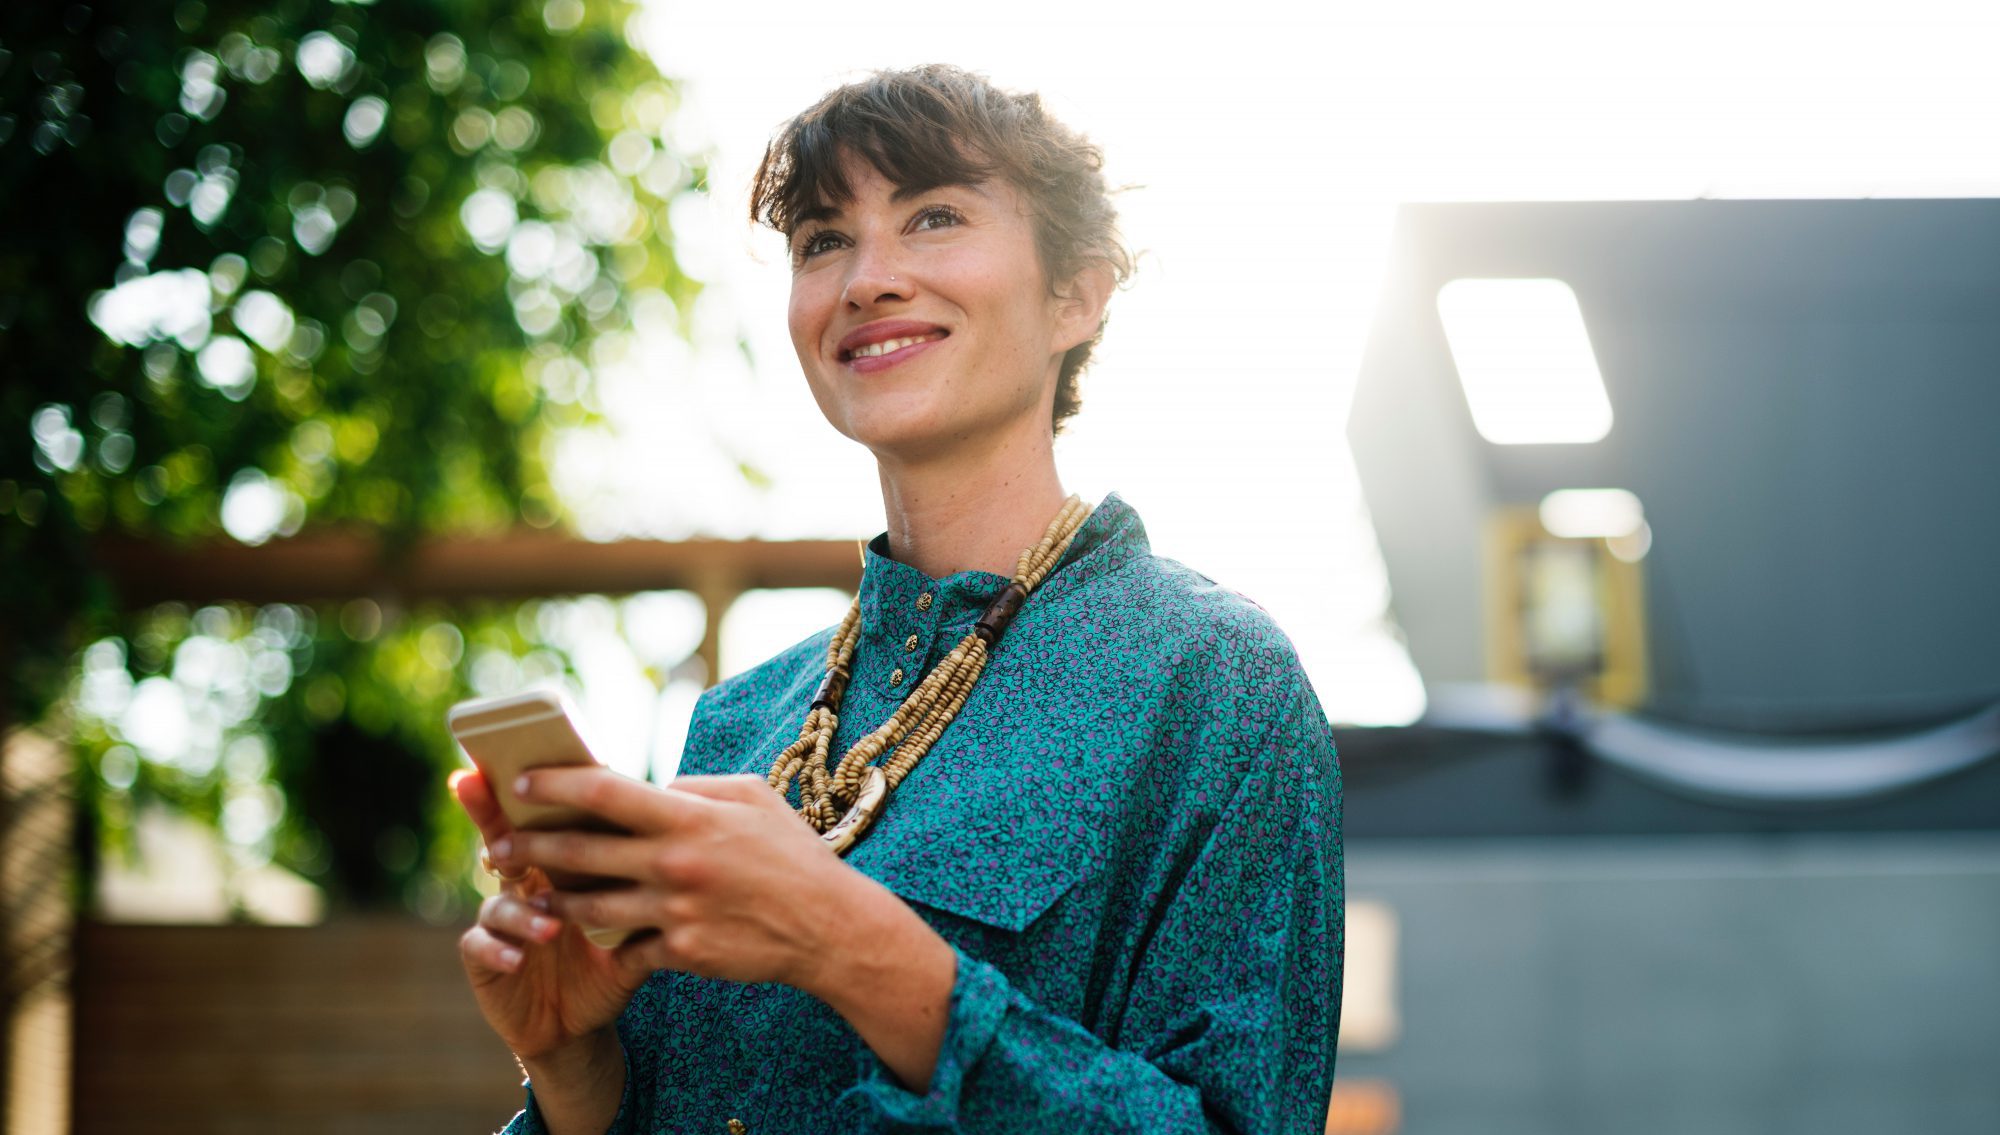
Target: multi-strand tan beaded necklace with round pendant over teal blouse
{"points": [[841, 804]]}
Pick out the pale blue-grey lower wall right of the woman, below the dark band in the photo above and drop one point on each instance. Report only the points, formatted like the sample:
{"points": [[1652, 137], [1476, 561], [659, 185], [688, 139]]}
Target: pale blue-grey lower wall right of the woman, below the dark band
{"points": [[1693, 984]]}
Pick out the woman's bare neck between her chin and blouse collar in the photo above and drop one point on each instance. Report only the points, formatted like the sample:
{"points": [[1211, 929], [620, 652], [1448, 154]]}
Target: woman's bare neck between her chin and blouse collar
{"points": [[975, 513]]}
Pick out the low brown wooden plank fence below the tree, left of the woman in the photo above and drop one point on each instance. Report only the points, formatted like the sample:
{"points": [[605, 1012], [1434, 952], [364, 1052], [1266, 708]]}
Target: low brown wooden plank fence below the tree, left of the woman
{"points": [[337, 1030]]}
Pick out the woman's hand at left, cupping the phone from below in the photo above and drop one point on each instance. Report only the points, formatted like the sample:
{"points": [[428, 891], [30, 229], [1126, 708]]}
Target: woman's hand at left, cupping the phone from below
{"points": [[539, 982]]}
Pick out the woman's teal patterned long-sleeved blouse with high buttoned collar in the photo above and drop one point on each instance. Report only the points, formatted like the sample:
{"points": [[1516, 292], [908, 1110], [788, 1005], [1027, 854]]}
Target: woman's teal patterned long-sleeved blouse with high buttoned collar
{"points": [[1131, 836]]}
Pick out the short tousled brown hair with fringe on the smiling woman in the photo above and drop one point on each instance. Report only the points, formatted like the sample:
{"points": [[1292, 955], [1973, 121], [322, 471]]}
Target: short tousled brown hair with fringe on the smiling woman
{"points": [[945, 127]]}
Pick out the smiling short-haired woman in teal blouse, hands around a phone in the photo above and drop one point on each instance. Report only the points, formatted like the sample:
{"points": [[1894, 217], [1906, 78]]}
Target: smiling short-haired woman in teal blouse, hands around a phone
{"points": [[1105, 892]]}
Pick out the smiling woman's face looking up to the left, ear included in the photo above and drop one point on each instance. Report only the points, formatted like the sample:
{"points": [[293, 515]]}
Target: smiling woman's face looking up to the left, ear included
{"points": [[925, 321]]}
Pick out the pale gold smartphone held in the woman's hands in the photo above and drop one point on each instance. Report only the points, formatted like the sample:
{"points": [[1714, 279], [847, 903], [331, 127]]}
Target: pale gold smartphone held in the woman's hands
{"points": [[533, 730]]}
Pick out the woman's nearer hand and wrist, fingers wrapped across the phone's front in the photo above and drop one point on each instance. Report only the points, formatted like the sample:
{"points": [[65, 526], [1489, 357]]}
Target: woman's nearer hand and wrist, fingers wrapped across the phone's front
{"points": [[737, 886]]}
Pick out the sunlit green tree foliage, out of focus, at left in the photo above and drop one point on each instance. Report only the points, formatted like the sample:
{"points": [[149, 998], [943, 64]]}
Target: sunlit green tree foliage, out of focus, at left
{"points": [[283, 263]]}
